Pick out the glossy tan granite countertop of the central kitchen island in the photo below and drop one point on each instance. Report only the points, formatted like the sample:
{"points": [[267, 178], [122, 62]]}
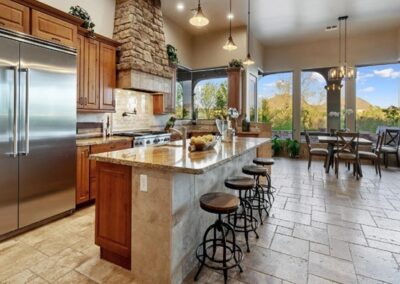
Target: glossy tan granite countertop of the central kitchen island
{"points": [[173, 158]]}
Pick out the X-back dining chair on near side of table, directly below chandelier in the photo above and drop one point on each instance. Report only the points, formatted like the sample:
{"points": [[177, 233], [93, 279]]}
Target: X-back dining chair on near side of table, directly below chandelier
{"points": [[347, 151]]}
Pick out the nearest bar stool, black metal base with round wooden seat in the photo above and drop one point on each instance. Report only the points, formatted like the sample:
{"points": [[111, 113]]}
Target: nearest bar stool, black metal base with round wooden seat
{"points": [[209, 251]]}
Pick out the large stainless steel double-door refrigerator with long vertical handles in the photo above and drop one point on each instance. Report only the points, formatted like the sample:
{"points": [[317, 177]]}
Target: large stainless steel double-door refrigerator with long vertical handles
{"points": [[37, 131]]}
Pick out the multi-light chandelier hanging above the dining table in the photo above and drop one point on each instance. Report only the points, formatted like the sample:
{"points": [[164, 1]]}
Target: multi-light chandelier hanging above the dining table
{"points": [[343, 71]]}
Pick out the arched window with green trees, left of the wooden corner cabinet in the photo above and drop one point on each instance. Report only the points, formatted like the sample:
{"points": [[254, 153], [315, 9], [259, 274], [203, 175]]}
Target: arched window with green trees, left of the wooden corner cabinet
{"points": [[211, 98]]}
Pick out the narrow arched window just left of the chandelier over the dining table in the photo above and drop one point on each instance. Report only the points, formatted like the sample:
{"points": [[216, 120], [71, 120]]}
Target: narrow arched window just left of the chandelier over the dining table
{"points": [[313, 102]]}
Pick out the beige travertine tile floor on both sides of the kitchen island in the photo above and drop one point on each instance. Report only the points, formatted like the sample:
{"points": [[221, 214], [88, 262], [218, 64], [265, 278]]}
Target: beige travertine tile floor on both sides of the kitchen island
{"points": [[321, 230]]}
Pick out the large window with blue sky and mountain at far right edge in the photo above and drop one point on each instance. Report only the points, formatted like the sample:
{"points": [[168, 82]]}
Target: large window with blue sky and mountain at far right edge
{"points": [[378, 99]]}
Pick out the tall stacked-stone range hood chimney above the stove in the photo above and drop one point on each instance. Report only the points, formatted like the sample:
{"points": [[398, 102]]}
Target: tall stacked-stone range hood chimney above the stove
{"points": [[138, 26]]}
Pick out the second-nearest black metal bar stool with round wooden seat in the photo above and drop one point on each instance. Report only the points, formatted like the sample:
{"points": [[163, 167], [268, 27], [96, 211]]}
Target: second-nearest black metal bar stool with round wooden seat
{"points": [[243, 221]]}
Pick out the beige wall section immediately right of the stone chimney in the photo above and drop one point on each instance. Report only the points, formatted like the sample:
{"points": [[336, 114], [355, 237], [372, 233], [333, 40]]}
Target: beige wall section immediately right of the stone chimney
{"points": [[181, 40]]}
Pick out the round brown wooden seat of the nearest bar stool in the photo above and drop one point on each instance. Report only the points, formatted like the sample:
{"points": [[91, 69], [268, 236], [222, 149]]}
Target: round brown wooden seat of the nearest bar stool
{"points": [[219, 202]]}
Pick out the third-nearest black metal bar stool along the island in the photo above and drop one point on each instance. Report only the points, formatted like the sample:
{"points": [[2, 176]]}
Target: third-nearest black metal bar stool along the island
{"points": [[257, 200]]}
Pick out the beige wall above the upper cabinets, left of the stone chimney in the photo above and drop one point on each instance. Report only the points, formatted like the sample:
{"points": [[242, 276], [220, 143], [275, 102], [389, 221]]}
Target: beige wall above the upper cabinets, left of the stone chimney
{"points": [[101, 12]]}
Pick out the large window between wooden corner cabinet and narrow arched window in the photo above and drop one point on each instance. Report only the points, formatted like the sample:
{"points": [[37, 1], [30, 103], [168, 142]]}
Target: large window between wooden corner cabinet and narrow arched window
{"points": [[274, 102]]}
